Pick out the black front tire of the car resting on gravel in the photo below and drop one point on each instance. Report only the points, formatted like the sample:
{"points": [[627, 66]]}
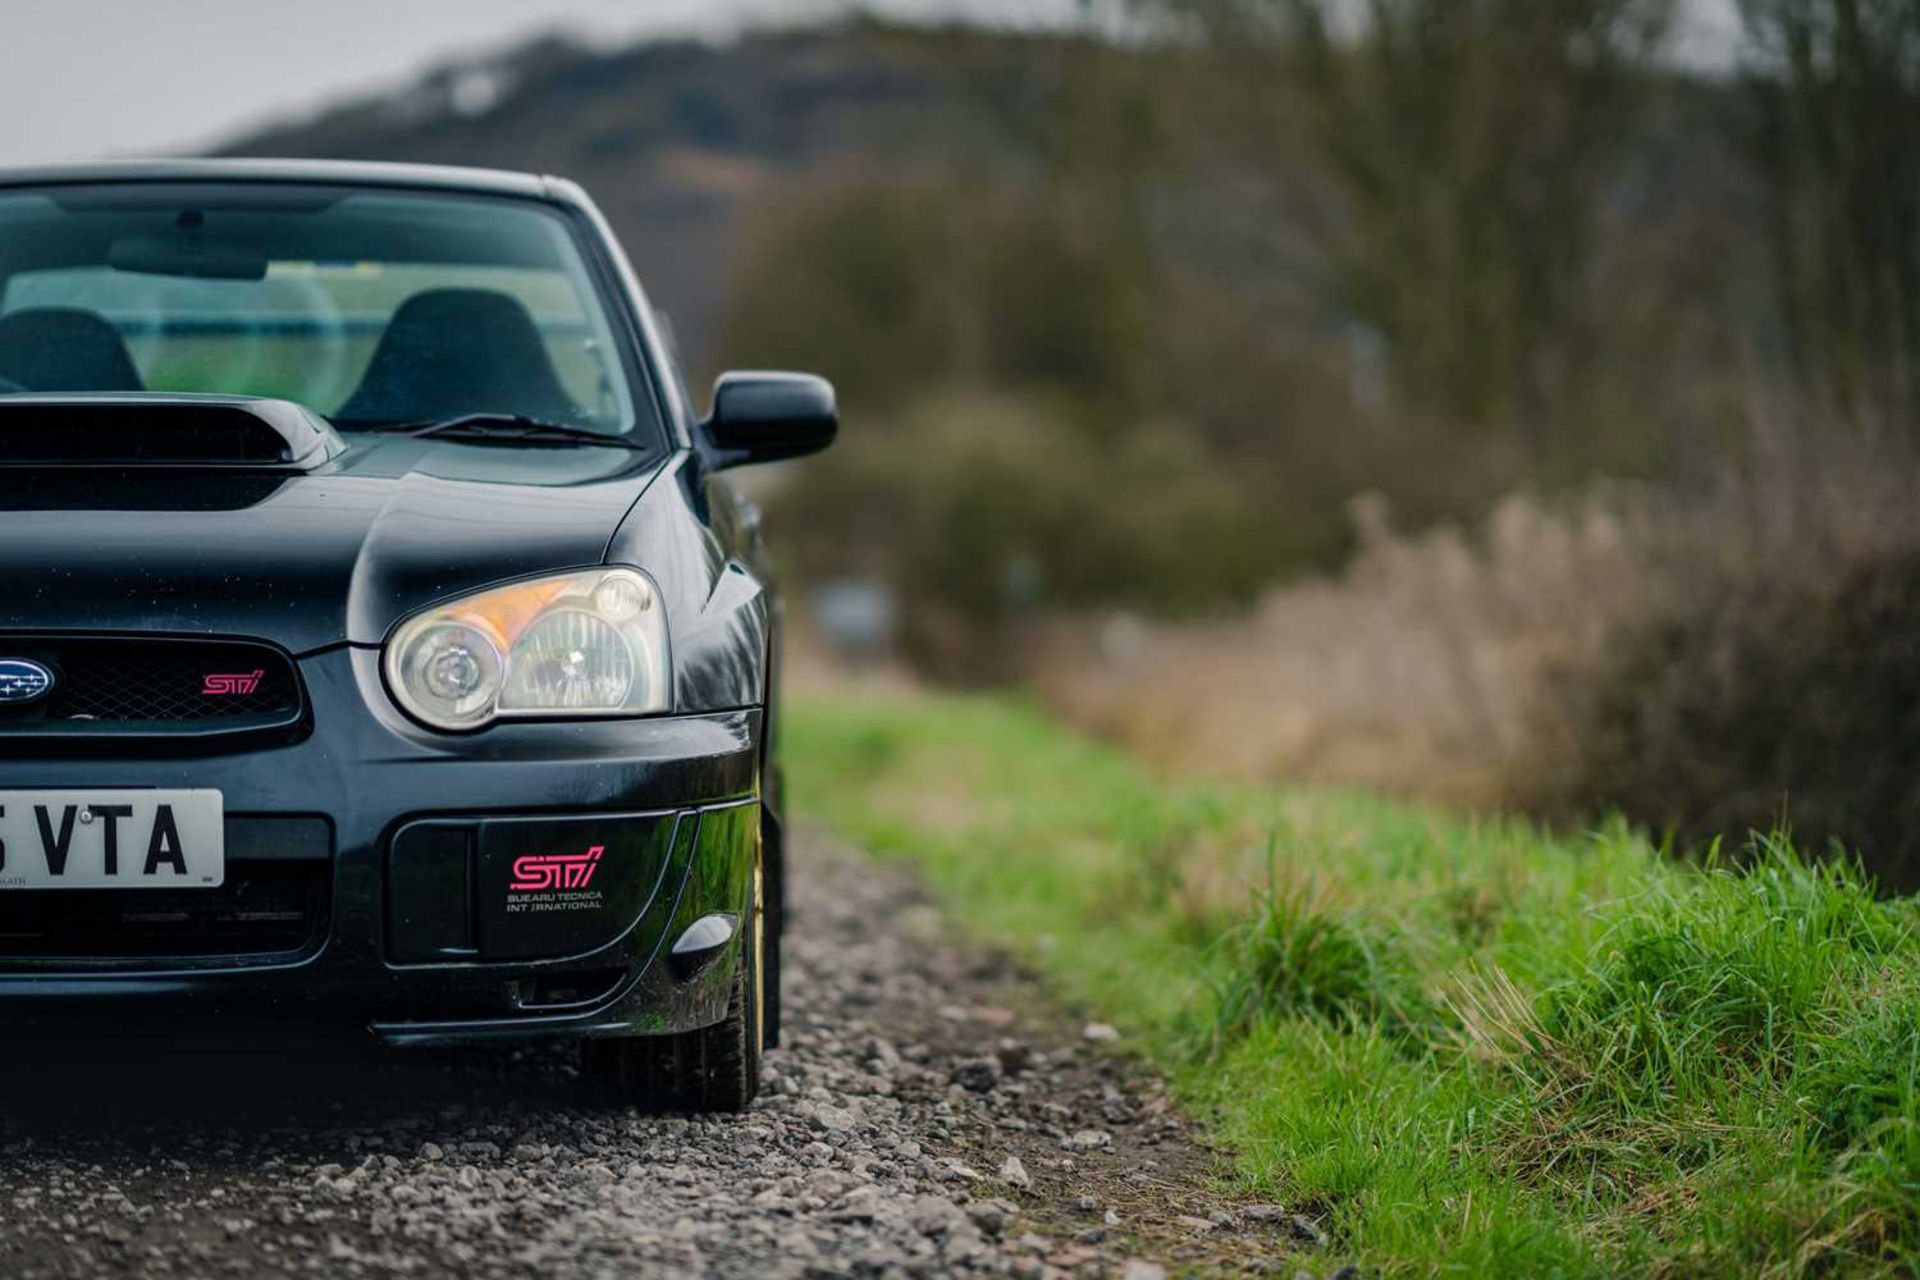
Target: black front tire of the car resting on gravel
{"points": [[709, 1070]]}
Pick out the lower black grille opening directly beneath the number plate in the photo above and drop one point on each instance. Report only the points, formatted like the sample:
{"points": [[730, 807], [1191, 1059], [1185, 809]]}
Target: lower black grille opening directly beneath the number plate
{"points": [[264, 911]]}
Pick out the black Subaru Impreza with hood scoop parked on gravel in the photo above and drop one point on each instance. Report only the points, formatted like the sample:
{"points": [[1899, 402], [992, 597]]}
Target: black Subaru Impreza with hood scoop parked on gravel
{"points": [[379, 642]]}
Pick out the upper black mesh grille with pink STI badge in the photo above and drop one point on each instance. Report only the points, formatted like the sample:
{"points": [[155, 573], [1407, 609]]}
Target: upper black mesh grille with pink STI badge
{"points": [[156, 686]]}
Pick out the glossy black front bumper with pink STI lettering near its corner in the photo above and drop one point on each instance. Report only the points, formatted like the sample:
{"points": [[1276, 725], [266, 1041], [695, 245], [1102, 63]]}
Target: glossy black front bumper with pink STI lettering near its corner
{"points": [[675, 801]]}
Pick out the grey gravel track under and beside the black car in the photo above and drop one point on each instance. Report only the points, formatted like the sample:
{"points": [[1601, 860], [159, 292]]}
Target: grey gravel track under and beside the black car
{"points": [[930, 1116]]}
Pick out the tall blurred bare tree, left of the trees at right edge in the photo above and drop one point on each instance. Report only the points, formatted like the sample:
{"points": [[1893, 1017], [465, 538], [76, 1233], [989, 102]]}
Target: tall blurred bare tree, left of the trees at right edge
{"points": [[1468, 151]]}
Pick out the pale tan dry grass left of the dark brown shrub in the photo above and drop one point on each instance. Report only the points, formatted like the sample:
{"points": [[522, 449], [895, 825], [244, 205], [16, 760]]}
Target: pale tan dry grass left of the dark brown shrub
{"points": [[1412, 671]]}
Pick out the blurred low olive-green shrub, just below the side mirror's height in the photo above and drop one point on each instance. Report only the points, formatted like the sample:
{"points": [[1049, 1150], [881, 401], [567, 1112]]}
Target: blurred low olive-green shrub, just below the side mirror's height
{"points": [[984, 511]]}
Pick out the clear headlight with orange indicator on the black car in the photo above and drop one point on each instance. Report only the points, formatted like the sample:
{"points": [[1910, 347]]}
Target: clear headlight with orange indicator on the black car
{"points": [[590, 644]]}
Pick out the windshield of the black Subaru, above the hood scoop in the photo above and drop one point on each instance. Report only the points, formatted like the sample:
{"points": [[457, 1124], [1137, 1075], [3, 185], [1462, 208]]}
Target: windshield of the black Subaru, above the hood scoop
{"points": [[366, 306]]}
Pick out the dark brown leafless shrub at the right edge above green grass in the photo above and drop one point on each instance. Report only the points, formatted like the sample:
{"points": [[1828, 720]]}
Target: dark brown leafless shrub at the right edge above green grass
{"points": [[1764, 680]]}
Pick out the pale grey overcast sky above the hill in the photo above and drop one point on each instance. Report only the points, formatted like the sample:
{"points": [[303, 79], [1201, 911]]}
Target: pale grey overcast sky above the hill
{"points": [[151, 78]]}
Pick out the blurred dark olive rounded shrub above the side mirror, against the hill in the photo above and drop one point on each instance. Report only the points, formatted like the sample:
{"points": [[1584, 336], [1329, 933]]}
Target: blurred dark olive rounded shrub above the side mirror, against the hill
{"points": [[911, 285]]}
